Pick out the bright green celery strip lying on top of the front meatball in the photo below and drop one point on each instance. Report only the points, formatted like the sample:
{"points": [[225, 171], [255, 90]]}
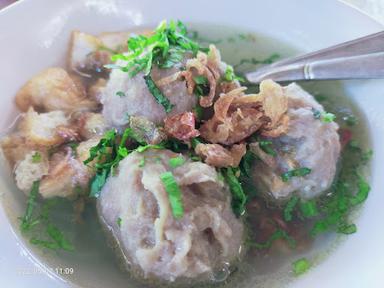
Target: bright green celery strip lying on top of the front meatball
{"points": [[174, 194]]}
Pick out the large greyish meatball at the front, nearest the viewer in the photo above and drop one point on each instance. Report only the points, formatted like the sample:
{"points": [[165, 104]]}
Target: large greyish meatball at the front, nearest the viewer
{"points": [[135, 209]]}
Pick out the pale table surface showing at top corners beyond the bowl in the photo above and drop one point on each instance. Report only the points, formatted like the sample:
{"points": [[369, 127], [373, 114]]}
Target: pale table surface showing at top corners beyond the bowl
{"points": [[374, 8]]}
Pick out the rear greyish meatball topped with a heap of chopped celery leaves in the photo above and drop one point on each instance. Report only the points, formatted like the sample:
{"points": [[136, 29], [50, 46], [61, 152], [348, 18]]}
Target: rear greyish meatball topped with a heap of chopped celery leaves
{"points": [[139, 101]]}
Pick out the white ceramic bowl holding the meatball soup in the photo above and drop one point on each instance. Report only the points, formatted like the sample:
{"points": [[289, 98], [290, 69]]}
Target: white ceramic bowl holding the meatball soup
{"points": [[34, 35]]}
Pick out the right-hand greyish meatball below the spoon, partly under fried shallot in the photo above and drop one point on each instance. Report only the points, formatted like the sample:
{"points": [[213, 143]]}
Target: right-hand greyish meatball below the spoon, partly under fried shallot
{"points": [[309, 143]]}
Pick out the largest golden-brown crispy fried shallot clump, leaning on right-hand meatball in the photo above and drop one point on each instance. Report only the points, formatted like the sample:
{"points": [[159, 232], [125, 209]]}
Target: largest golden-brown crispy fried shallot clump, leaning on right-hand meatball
{"points": [[238, 116]]}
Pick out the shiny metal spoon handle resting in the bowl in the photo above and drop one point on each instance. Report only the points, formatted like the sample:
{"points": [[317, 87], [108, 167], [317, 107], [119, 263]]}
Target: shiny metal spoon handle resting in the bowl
{"points": [[362, 58]]}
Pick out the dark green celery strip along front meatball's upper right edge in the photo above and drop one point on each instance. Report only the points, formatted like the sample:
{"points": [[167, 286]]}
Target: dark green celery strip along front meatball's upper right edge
{"points": [[239, 198]]}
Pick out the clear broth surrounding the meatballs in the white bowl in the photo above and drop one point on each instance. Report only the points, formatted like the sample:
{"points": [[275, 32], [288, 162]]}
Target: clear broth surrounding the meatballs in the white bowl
{"points": [[94, 263]]}
